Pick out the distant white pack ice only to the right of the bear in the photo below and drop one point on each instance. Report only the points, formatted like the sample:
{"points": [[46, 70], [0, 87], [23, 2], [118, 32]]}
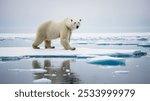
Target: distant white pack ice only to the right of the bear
{"points": [[110, 38]]}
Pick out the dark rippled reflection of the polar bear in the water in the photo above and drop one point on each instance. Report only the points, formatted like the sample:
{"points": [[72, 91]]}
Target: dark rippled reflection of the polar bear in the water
{"points": [[59, 75]]}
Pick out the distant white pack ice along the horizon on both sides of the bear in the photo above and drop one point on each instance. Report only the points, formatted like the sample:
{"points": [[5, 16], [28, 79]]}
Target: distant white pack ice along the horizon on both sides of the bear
{"points": [[90, 38]]}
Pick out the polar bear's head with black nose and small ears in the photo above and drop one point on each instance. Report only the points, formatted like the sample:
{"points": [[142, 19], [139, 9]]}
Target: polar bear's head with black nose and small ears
{"points": [[72, 24]]}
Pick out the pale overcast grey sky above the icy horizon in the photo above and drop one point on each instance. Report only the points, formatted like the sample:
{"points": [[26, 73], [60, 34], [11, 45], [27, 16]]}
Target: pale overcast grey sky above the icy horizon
{"points": [[98, 16]]}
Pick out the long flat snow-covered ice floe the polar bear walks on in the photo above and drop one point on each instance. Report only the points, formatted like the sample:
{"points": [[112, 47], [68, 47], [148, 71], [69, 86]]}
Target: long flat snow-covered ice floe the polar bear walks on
{"points": [[14, 53]]}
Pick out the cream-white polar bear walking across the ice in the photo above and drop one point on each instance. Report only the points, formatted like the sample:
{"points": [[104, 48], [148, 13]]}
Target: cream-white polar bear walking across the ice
{"points": [[50, 30]]}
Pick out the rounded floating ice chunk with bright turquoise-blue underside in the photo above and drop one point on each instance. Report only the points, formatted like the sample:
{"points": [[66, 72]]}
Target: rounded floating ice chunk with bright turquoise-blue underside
{"points": [[106, 60]]}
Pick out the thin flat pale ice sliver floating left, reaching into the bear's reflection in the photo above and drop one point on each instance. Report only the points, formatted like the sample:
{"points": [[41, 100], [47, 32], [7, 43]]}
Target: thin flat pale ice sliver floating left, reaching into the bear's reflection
{"points": [[30, 70]]}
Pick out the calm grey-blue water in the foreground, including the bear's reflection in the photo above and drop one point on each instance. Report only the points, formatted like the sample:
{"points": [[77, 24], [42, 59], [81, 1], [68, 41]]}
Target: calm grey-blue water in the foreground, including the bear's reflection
{"points": [[76, 71]]}
